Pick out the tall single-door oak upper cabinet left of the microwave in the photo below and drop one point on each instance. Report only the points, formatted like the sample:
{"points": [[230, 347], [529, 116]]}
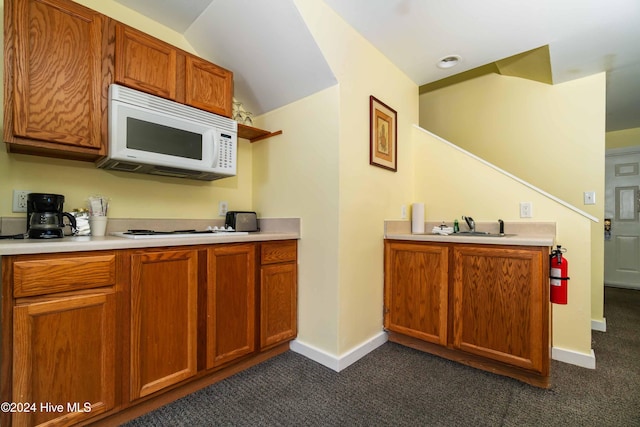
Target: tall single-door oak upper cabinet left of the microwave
{"points": [[53, 79]]}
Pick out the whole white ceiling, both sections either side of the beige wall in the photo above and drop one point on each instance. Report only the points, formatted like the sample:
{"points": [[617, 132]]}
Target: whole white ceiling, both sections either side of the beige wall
{"points": [[276, 61]]}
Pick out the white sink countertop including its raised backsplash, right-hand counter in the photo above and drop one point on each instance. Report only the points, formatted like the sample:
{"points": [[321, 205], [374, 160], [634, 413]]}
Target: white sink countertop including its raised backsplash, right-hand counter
{"points": [[518, 234]]}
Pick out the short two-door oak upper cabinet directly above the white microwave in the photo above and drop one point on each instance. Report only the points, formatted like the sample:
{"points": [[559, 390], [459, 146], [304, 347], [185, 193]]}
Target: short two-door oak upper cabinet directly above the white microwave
{"points": [[150, 65]]}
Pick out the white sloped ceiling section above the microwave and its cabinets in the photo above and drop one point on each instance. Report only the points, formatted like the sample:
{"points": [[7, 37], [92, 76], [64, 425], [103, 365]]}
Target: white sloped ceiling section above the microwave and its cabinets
{"points": [[266, 44]]}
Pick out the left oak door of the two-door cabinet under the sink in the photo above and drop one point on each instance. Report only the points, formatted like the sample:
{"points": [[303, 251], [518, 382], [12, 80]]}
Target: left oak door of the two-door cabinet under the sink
{"points": [[416, 290]]}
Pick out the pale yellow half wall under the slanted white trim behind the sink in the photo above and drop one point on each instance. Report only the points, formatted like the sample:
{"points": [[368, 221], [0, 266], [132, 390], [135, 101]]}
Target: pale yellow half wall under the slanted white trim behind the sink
{"points": [[463, 185]]}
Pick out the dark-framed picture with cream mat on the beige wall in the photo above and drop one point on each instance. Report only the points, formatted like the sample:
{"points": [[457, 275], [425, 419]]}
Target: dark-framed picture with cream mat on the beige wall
{"points": [[383, 135]]}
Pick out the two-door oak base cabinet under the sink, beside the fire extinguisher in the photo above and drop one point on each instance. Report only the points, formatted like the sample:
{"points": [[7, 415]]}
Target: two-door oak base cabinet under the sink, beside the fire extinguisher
{"points": [[483, 305]]}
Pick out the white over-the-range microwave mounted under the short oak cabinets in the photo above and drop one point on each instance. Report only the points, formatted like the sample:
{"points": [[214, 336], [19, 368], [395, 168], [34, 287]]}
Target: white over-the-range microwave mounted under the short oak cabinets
{"points": [[149, 134]]}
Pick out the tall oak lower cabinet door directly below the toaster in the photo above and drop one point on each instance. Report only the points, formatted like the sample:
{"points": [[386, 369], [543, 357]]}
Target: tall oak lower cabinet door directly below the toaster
{"points": [[230, 303]]}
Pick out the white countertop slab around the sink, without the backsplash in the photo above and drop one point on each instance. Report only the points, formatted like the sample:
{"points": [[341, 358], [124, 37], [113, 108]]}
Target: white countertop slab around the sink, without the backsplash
{"points": [[516, 240]]}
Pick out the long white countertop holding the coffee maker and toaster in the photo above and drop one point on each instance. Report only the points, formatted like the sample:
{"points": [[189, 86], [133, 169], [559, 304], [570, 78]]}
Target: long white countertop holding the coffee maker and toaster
{"points": [[91, 243]]}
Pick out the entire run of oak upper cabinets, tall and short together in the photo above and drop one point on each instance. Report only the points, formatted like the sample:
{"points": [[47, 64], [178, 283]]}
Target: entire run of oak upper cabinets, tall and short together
{"points": [[60, 58]]}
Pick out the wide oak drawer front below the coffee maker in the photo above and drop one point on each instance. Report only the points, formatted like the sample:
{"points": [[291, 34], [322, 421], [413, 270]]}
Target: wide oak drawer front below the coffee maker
{"points": [[40, 275]]}
